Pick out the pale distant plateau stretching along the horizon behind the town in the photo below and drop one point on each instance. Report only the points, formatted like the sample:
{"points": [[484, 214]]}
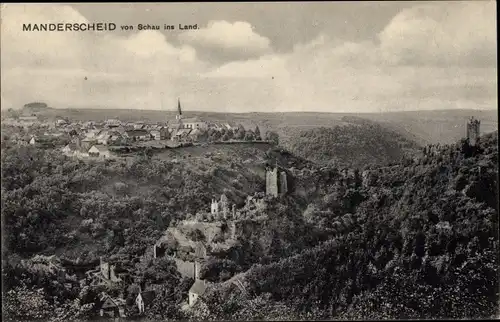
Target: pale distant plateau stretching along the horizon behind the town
{"points": [[423, 127]]}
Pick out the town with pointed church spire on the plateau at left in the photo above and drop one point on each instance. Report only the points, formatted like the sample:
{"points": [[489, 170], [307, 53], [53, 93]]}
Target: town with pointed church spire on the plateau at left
{"points": [[109, 139]]}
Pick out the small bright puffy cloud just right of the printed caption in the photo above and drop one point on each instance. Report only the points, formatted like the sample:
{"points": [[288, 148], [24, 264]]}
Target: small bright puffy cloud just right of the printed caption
{"points": [[222, 40]]}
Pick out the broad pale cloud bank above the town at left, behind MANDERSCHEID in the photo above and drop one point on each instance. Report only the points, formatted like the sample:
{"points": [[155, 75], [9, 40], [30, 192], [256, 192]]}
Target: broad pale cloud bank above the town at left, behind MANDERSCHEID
{"points": [[87, 68]]}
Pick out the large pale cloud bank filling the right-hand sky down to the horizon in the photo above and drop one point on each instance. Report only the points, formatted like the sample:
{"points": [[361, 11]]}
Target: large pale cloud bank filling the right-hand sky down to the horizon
{"points": [[427, 57]]}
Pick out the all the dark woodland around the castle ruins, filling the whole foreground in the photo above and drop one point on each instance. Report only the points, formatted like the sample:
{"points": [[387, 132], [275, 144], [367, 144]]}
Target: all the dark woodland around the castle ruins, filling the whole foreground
{"points": [[420, 240]]}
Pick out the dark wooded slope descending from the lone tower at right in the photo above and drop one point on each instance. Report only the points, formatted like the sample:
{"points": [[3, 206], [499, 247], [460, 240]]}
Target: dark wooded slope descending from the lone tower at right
{"points": [[427, 248]]}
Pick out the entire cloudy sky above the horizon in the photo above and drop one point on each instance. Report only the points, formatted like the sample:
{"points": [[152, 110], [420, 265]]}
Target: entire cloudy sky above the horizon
{"points": [[340, 57]]}
